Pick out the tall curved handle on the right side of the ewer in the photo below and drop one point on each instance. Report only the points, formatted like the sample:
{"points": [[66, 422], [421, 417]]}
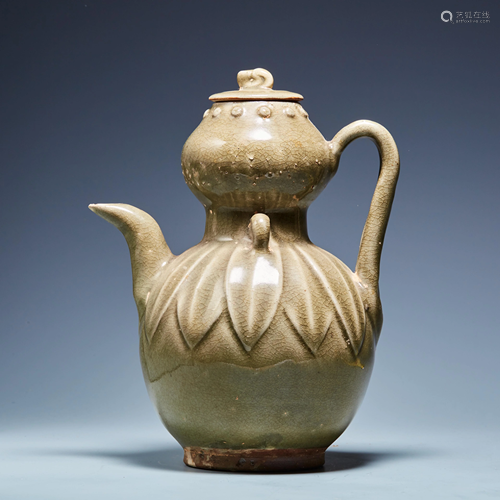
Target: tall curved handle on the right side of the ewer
{"points": [[372, 239]]}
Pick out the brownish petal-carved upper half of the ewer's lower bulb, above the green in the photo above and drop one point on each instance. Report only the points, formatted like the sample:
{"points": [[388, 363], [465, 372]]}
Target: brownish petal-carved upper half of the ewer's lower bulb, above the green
{"points": [[232, 303]]}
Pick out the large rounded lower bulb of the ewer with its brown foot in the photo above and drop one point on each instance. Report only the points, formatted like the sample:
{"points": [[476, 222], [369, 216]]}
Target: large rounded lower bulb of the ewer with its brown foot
{"points": [[296, 385]]}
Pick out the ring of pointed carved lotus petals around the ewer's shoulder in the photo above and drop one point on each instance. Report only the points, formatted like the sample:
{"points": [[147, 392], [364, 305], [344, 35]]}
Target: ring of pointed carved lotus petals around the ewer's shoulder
{"points": [[247, 288]]}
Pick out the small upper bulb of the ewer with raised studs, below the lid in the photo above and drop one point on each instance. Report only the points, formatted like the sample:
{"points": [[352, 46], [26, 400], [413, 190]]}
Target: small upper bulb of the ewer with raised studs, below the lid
{"points": [[257, 155]]}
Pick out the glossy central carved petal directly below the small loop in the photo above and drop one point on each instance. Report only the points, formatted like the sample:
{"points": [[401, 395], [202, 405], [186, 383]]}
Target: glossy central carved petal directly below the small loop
{"points": [[254, 280]]}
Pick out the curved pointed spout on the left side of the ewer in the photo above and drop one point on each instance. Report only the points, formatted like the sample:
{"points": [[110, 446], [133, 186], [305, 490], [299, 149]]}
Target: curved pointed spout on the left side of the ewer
{"points": [[148, 250]]}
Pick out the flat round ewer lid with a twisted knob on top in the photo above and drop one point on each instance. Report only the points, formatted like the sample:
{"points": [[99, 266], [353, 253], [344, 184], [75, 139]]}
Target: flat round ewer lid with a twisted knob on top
{"points": [[256, 85]]}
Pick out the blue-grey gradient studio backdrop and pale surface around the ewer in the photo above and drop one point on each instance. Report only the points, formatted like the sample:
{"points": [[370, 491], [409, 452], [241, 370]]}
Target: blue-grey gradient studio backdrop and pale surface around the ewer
{"points": [[97, 99]]}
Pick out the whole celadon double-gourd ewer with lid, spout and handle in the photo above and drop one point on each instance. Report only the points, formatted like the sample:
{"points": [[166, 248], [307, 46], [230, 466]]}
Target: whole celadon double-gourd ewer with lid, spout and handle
{"points": [[256, 345]]}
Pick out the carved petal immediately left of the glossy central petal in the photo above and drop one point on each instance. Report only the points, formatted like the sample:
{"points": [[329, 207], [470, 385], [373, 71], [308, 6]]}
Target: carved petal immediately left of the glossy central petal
{"points": [[200, 299]]}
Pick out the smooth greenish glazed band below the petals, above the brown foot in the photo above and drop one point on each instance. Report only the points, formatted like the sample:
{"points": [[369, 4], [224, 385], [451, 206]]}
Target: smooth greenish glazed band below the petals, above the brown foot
{"points": [[286, 405]]}
